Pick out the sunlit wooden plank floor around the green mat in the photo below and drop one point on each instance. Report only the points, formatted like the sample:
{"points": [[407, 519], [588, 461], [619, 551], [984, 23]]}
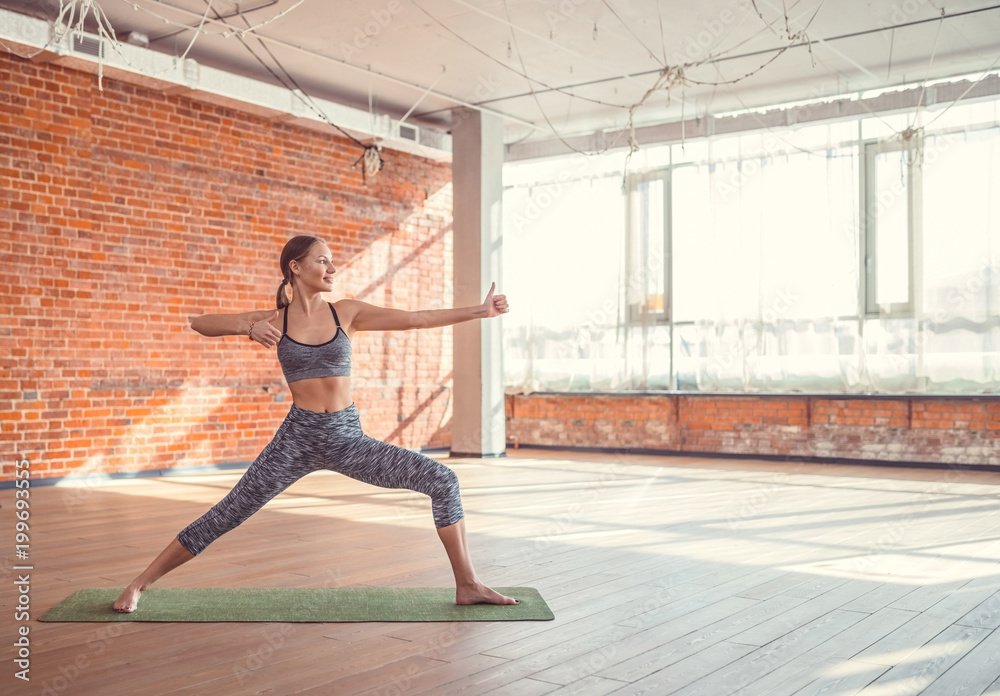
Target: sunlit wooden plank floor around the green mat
{"points": [[667, 576]]}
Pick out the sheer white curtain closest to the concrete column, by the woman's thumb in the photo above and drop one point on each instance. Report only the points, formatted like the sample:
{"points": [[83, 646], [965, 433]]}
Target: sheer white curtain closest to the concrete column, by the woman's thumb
{"points": [[563, 241]]}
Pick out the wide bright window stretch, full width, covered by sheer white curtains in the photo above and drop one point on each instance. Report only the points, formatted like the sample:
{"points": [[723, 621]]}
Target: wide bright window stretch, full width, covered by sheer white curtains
{"points": [[846, 258]]}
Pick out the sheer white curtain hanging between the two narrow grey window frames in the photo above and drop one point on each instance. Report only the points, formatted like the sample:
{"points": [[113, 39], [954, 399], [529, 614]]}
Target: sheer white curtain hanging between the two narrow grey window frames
{"points": [[766, 269]]}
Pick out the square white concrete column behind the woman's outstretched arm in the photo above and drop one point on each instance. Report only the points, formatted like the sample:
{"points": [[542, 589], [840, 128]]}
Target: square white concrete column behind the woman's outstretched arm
{"points": [[478, 425]]}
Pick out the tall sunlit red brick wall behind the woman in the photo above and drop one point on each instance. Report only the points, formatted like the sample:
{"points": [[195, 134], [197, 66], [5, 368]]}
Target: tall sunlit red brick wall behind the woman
{"points": [[126, 211]]}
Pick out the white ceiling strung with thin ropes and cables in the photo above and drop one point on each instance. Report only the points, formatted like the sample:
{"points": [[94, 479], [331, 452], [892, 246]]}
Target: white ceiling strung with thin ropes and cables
{"points": [[588, 60]]}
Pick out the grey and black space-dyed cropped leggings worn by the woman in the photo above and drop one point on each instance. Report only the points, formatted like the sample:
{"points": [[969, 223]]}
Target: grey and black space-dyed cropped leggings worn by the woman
{"points": [[308, 441]]}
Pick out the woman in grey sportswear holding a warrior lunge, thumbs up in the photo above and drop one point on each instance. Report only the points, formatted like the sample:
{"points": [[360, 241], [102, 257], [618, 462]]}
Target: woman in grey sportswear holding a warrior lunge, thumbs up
{"points": [[322, 429]]}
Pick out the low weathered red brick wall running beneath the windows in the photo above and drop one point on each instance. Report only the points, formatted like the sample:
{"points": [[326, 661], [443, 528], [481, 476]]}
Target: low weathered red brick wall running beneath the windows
{"points": [[905, 429]]}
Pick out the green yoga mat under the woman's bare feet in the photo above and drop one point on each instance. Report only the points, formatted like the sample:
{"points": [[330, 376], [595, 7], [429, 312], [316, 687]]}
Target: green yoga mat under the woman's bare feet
{"points": [[339, 604]]}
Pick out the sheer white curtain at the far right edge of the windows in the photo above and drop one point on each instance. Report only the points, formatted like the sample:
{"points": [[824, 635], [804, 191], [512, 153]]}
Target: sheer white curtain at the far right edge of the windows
{"points": [[953, 342]]}
